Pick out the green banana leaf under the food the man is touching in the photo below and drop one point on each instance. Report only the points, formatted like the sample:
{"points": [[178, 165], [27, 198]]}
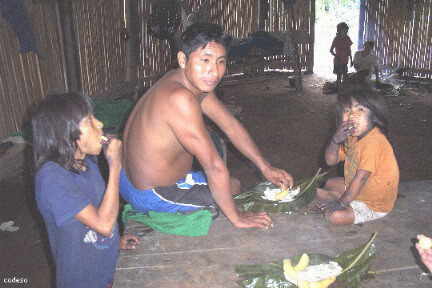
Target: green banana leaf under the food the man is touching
{"points": [[252, 200]]}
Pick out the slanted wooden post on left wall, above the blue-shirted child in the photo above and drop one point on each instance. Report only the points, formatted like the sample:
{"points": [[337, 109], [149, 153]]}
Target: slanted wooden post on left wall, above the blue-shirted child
{"points": [[67, 33]]}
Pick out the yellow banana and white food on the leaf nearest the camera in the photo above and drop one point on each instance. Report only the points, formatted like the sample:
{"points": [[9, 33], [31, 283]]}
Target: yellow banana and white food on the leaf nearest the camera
{"points": [[311, 276]]}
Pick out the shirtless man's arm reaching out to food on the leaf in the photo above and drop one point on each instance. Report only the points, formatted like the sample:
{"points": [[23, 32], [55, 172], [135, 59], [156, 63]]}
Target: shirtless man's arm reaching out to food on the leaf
{"points": [[241, 139]]}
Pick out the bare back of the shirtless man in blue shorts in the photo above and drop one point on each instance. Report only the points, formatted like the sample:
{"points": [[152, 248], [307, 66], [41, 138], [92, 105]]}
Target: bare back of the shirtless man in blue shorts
{"points": [[152, 155]]}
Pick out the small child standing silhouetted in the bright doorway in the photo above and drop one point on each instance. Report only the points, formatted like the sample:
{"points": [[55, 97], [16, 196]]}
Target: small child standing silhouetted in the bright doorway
{"points": [[341, 50]]}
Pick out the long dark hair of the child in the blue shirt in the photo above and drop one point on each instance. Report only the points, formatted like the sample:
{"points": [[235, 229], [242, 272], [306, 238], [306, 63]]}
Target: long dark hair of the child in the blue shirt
{"points": [[55, 126]]}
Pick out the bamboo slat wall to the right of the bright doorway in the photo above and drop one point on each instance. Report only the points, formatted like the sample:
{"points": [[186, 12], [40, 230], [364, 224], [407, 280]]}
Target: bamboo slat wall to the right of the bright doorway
{"points": [[403, 33]]}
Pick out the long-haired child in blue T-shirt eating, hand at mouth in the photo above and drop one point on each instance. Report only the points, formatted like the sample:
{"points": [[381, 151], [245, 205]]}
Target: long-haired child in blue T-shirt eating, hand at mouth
{"points": [[79, 211]]}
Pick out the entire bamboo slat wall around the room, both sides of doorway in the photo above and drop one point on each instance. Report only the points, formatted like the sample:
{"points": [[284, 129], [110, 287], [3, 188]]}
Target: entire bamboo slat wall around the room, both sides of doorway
{"points": [[402, 30]]}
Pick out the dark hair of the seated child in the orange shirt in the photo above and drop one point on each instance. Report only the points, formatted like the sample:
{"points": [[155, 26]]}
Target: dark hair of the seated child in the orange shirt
{"points": [[368, 98]]}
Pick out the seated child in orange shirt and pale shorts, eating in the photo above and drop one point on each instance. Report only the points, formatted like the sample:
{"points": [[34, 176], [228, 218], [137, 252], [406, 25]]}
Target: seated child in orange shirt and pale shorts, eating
{"points": [[369, 187]]}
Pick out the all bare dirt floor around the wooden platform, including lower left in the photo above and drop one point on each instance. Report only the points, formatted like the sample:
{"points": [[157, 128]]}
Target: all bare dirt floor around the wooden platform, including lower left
{"points": [[290, 128]]}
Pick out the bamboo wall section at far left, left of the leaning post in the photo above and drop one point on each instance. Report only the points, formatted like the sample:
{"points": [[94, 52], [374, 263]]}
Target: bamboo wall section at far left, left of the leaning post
{"points": [[26, 78]]}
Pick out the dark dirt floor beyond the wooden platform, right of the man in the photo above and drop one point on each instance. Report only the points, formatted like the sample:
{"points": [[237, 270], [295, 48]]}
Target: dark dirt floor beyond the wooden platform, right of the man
{"points": [[293, 128]]}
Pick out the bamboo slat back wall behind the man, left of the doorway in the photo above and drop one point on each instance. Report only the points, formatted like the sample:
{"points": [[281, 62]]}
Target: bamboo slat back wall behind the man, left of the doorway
{"points": [[239, 18]]}
